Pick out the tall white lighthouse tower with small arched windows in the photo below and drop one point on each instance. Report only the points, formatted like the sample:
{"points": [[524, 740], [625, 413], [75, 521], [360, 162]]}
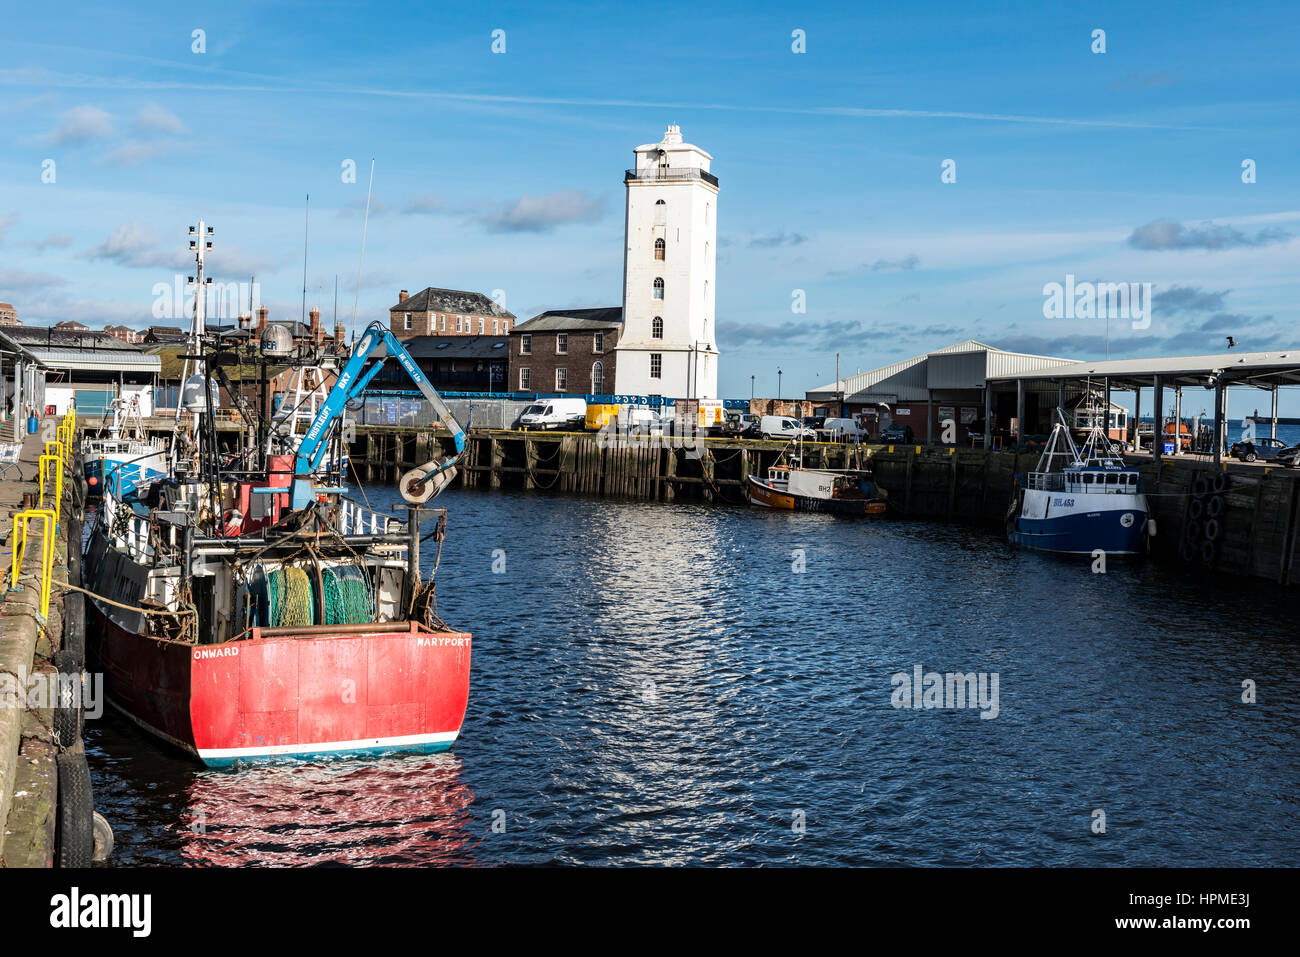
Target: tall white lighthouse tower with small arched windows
{"points": [[668, 345]]}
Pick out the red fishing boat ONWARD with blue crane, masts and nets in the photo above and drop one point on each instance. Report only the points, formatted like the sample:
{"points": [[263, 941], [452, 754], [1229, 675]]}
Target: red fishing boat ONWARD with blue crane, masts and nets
{"points": [[245, 609]]}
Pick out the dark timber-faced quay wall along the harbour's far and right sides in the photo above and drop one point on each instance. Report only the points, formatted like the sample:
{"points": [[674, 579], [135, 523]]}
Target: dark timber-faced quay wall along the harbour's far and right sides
{"points": [[1255, 531]]}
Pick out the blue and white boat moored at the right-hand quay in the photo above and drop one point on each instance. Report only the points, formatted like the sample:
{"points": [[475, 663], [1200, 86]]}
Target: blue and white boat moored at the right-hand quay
{"points": [[1082, 499]]}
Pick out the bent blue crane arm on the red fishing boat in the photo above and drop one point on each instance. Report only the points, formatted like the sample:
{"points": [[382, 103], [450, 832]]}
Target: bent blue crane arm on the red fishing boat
{"points": [[352, 383]]}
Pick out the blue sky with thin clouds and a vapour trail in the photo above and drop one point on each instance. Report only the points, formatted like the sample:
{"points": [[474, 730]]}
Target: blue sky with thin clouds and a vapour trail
{"points": [[502, 172]]}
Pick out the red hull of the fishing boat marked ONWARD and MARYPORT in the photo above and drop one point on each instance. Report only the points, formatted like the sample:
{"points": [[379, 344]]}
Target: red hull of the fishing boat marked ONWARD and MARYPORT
{"points": [[306, 698]]}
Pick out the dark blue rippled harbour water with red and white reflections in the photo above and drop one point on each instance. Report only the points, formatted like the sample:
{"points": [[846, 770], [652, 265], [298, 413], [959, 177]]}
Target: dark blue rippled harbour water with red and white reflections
{"points": [[656, 685]]}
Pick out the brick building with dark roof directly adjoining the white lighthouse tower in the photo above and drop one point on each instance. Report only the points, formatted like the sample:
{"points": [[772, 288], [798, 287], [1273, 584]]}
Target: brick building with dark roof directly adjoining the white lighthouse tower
{"points": [[566, 352]]}
